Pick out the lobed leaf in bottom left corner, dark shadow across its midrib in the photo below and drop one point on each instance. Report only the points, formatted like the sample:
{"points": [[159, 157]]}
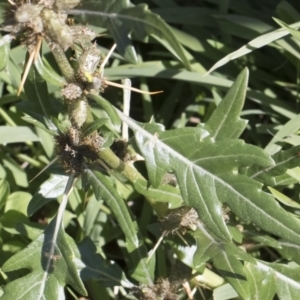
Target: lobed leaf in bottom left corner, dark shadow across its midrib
{"points": [[50, 273]]}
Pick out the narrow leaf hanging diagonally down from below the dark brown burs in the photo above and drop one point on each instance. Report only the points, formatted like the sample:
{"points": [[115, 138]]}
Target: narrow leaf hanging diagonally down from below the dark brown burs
{"points": [[104, 189]]}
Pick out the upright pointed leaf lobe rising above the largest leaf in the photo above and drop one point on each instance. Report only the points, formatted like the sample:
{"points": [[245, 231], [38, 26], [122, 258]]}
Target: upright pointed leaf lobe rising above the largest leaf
{"points": [[225, 121]]}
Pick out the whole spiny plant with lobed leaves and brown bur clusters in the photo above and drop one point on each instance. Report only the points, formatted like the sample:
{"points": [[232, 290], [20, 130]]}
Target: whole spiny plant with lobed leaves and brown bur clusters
{"points": [[202, 183]]}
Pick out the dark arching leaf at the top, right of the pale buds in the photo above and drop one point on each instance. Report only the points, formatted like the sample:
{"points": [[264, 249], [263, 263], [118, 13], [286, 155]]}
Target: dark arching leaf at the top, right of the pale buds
{"points": [[121, 18]]}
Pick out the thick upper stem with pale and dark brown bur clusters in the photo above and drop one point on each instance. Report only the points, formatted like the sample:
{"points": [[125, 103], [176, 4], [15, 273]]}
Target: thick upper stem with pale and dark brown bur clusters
{"points": [[45, 19]]}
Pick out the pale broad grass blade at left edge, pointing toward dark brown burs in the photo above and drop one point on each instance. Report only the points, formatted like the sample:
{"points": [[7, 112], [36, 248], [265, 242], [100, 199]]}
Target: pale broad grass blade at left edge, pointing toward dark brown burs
{"points": [[20, 134]]}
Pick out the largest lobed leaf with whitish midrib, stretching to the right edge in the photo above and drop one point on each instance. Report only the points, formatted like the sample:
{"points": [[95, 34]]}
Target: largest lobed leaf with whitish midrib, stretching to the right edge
{"points": [[207, 175]]}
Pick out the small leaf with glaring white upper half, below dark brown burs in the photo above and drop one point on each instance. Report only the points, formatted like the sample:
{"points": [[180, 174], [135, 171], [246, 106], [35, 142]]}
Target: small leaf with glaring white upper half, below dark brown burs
{"points": [[48, 191]]}
